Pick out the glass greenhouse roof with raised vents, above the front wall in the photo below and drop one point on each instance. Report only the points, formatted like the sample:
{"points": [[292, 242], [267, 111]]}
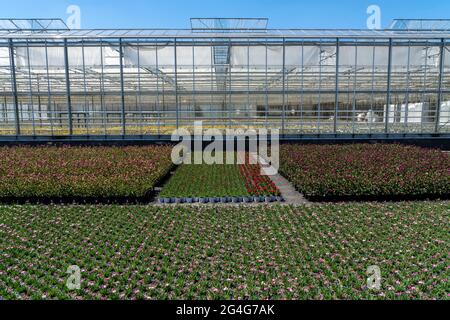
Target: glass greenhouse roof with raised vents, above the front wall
{"points": [[223, 28]]}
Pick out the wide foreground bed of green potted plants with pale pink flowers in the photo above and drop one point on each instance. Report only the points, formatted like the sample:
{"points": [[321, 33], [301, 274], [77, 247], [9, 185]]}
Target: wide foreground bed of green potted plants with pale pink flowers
{"points": [[237, 252]]}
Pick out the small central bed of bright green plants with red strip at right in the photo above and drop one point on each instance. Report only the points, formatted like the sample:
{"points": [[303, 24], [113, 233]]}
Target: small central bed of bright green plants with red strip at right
{"points": [[218, 181]]}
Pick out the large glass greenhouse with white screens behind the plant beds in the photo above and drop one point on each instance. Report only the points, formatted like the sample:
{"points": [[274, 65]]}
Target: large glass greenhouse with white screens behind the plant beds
{"points": [[57, 83]]}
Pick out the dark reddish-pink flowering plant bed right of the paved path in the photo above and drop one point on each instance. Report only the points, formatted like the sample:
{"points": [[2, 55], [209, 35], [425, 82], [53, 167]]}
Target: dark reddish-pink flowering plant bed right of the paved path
{"points": [[362, 172]]}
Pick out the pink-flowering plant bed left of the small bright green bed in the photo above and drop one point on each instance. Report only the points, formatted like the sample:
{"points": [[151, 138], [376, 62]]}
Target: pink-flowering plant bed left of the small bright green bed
{"points": [[47, 172]]}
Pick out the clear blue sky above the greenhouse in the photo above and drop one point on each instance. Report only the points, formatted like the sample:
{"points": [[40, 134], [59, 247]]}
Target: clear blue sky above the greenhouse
{"points": [[176, 13]]}
